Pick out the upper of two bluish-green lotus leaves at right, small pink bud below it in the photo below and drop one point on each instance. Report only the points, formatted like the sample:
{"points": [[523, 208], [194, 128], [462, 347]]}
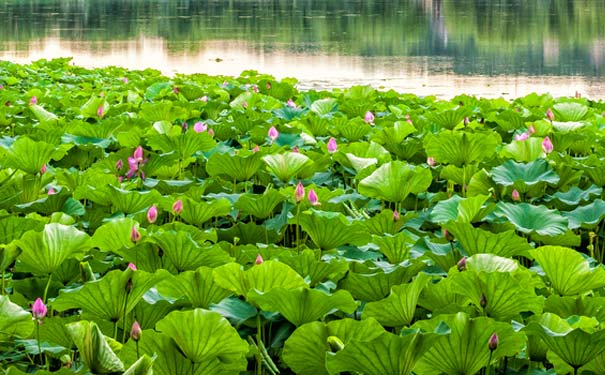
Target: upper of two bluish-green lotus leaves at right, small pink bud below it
{"points": [[524, 175]]}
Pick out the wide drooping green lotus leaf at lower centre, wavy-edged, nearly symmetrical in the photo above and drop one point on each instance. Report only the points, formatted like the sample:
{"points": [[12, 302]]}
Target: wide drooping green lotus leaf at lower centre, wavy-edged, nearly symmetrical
{"points": [[303, 305]]}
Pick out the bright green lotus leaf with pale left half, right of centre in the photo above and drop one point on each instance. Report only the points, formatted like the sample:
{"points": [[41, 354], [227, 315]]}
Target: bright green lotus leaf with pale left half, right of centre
{"points": [[395, 180]]}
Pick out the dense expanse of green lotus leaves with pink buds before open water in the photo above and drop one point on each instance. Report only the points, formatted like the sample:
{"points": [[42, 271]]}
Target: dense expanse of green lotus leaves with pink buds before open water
{"points": [[217, 225]]}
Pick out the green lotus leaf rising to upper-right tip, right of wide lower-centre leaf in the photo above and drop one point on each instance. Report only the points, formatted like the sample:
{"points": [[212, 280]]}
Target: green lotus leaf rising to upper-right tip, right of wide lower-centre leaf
{"points": [[399, 307]]}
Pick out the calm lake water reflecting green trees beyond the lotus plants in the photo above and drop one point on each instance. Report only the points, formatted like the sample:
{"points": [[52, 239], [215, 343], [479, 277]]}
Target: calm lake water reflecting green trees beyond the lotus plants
{"points": [[443, 47]]}
